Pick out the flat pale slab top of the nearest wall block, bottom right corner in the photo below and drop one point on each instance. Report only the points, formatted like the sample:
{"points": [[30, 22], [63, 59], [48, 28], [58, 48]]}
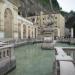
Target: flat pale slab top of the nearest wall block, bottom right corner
{"points": [[67, 68]]}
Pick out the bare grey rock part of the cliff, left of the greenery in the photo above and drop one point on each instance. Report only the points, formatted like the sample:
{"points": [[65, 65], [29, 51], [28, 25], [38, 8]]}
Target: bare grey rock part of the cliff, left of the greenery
{"points": [[30, 7]]}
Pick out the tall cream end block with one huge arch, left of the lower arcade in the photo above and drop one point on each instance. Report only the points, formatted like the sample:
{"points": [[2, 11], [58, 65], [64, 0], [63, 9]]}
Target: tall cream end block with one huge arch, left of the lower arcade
{"points": [[4, 7]]}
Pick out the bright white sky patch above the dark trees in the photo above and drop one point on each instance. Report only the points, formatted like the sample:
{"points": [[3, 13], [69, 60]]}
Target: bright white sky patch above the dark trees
{"points": [[67, 5]]}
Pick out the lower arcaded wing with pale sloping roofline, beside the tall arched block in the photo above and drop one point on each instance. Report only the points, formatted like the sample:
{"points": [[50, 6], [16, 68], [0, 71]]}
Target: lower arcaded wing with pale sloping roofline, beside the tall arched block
{"points": [[26, 29]]}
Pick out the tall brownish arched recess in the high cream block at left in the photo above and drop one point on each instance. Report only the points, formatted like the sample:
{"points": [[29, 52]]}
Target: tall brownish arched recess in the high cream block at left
{"points": [[8, 21]]}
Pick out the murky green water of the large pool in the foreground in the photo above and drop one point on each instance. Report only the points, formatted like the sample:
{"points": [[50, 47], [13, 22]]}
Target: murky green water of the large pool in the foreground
{"points": [[31, 60]]}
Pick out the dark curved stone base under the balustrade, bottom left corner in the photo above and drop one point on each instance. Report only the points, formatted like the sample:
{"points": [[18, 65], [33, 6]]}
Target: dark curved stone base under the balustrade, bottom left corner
{"points": [[7, 67]]}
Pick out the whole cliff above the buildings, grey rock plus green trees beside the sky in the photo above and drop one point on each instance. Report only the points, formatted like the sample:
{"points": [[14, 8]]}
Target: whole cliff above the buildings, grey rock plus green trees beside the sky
{"points": [[33, 7]]}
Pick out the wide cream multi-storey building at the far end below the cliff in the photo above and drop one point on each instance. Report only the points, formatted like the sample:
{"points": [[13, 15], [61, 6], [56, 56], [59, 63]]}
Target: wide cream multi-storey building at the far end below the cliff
{"points": [[53, 22]]}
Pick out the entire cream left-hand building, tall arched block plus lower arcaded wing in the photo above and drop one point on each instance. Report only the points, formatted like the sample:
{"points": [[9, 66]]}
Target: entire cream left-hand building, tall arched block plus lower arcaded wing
{"points": [[12, 25]]}
